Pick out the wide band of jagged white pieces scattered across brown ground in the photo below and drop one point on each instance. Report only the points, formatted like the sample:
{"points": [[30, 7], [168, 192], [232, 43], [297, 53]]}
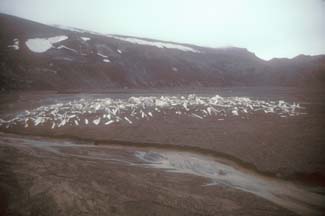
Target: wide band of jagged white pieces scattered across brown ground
{"points": [[134, 109]]}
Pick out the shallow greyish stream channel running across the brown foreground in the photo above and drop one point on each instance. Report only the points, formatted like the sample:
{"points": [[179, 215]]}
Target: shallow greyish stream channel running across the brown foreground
{"points": [[284, 193]]}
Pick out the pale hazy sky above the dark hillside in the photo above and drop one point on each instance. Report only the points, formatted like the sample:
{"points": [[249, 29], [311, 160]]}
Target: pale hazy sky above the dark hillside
{"points": [[269, 28]]}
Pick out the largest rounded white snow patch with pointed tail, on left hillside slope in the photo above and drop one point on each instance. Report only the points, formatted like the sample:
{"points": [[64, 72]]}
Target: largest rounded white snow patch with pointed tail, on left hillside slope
{"points": [[41, 45]]}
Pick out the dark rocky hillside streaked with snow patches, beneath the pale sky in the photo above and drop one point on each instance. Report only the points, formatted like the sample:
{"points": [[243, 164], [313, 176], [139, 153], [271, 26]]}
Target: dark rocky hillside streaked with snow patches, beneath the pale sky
{"points": [[35, 56]]}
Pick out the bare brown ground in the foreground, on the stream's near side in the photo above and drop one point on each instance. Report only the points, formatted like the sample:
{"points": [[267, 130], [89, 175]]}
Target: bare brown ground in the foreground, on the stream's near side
{"points": [[74, 183]]}
